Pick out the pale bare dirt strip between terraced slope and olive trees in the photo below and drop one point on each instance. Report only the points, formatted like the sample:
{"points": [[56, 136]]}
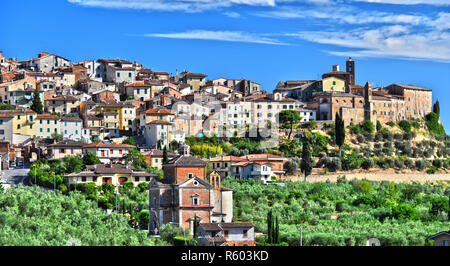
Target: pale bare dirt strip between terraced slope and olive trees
{"points": [[395, 177]]}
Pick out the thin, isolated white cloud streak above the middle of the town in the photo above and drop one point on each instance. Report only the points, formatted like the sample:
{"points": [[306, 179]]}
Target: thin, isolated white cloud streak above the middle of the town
{"points": [[227, 36]]}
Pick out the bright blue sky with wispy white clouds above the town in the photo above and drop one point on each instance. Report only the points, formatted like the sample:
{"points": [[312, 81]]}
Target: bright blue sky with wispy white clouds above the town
{"points": [[392, 41]]}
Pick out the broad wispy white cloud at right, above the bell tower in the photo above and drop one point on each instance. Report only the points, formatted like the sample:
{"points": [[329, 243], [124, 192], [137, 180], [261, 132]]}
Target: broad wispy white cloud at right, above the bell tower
{"points": [[391, 41]]}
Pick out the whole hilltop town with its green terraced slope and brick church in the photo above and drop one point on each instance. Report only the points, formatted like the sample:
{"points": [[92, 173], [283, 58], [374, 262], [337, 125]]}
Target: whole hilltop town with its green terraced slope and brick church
{"points": [[117, 125]]}
